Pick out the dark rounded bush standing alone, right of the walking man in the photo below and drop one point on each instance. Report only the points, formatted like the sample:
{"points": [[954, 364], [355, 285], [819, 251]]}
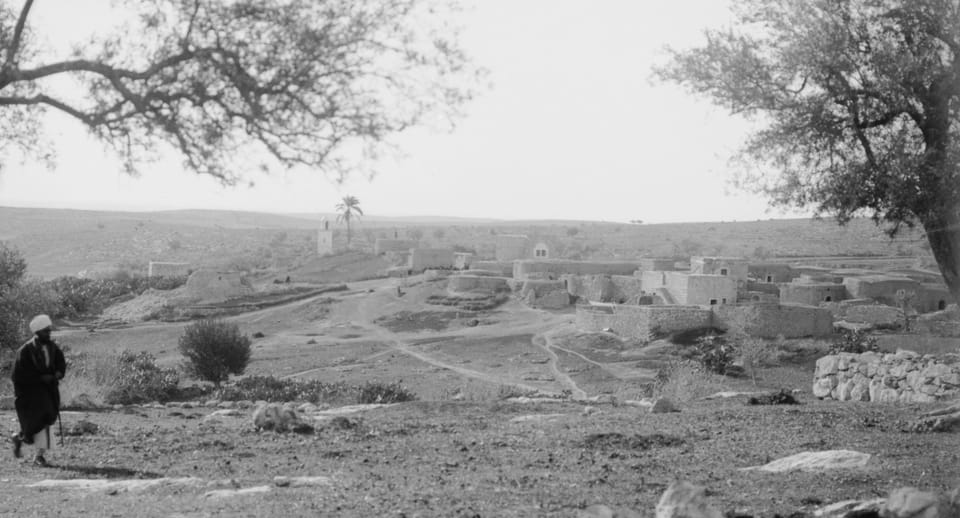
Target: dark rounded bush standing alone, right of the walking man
{"points": [[214, 350]]}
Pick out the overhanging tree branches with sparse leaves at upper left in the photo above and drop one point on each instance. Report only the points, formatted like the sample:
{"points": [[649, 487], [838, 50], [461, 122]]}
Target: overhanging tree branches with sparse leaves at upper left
{"points": [[293, 82]]}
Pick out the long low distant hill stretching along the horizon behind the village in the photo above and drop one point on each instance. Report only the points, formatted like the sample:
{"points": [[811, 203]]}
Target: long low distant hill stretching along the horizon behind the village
{"points": [[65, 242]]}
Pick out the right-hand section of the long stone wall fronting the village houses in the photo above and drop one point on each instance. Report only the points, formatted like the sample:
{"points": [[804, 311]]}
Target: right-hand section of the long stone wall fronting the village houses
{"points": [[771, 320]]}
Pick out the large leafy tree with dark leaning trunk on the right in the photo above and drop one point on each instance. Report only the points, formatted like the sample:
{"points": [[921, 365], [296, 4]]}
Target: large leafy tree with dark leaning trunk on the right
{"points": [[858, 104]]}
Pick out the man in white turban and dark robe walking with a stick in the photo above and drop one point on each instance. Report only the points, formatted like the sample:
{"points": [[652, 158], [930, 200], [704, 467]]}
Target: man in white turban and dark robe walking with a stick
{"points": [[37, 370]]}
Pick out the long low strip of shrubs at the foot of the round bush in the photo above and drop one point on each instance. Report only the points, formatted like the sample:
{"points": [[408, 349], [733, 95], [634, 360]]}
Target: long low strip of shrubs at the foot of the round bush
{"points": [[270, 389]]}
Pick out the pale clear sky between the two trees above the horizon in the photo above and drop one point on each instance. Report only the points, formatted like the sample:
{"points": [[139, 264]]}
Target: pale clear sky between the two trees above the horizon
{"points": [[572, 127]]}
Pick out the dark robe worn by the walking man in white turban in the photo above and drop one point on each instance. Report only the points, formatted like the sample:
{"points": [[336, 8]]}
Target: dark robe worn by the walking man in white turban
{"points": [[37, 402]]}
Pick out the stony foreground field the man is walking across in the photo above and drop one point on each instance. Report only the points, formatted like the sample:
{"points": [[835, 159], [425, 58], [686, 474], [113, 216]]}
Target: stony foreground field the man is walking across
{"points": [[504, 458]]}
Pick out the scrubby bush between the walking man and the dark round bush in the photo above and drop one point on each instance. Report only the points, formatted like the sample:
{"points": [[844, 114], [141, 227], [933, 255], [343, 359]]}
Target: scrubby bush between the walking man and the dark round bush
{"points": [[138, 379]]}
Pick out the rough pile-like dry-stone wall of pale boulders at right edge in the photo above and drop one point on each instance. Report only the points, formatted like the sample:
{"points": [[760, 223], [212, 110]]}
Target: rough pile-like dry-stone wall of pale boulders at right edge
{"points": [[904, 377]]}
